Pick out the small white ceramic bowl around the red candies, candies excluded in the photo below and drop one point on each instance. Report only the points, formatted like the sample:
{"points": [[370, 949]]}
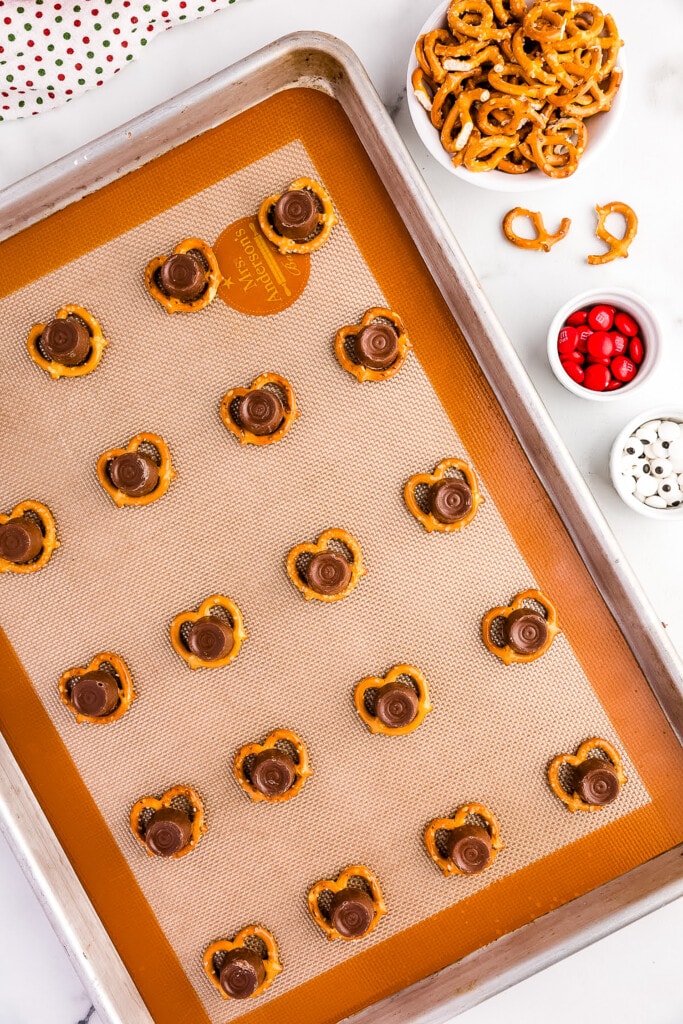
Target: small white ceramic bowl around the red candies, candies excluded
{"points": [[651, 333]]}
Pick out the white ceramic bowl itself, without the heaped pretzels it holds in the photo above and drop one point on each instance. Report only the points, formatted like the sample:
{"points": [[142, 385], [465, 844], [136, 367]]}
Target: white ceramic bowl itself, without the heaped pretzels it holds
{"points": [[601, 130]]}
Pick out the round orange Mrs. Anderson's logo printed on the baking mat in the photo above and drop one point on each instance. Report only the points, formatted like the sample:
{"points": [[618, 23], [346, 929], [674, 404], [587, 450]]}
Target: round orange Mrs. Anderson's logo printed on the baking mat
{"points": [[258, 280]]}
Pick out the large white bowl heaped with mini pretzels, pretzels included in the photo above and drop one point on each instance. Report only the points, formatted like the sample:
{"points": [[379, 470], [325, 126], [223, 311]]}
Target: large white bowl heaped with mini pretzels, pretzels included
{"points": [[527, 94]]}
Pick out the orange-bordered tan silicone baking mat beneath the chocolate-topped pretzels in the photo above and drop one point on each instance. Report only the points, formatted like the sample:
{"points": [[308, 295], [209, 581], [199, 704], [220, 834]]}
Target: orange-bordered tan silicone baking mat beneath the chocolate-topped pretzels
{"points": [[227, 526]]}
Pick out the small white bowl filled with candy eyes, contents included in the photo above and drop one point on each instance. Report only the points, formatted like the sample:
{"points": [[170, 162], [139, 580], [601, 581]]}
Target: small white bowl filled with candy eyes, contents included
{"points": [[647, 464]]}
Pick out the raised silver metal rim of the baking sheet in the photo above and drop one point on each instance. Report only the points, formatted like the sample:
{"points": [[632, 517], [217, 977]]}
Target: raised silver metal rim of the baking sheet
{"points": [[321, 62]]}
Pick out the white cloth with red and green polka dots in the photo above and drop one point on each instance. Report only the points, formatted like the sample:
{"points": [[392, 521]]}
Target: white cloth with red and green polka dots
{"points": [[52, 52]]}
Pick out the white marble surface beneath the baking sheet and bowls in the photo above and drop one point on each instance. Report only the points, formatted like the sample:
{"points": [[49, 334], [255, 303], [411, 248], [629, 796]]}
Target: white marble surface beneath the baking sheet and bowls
{"points": [[633, 976]]}
